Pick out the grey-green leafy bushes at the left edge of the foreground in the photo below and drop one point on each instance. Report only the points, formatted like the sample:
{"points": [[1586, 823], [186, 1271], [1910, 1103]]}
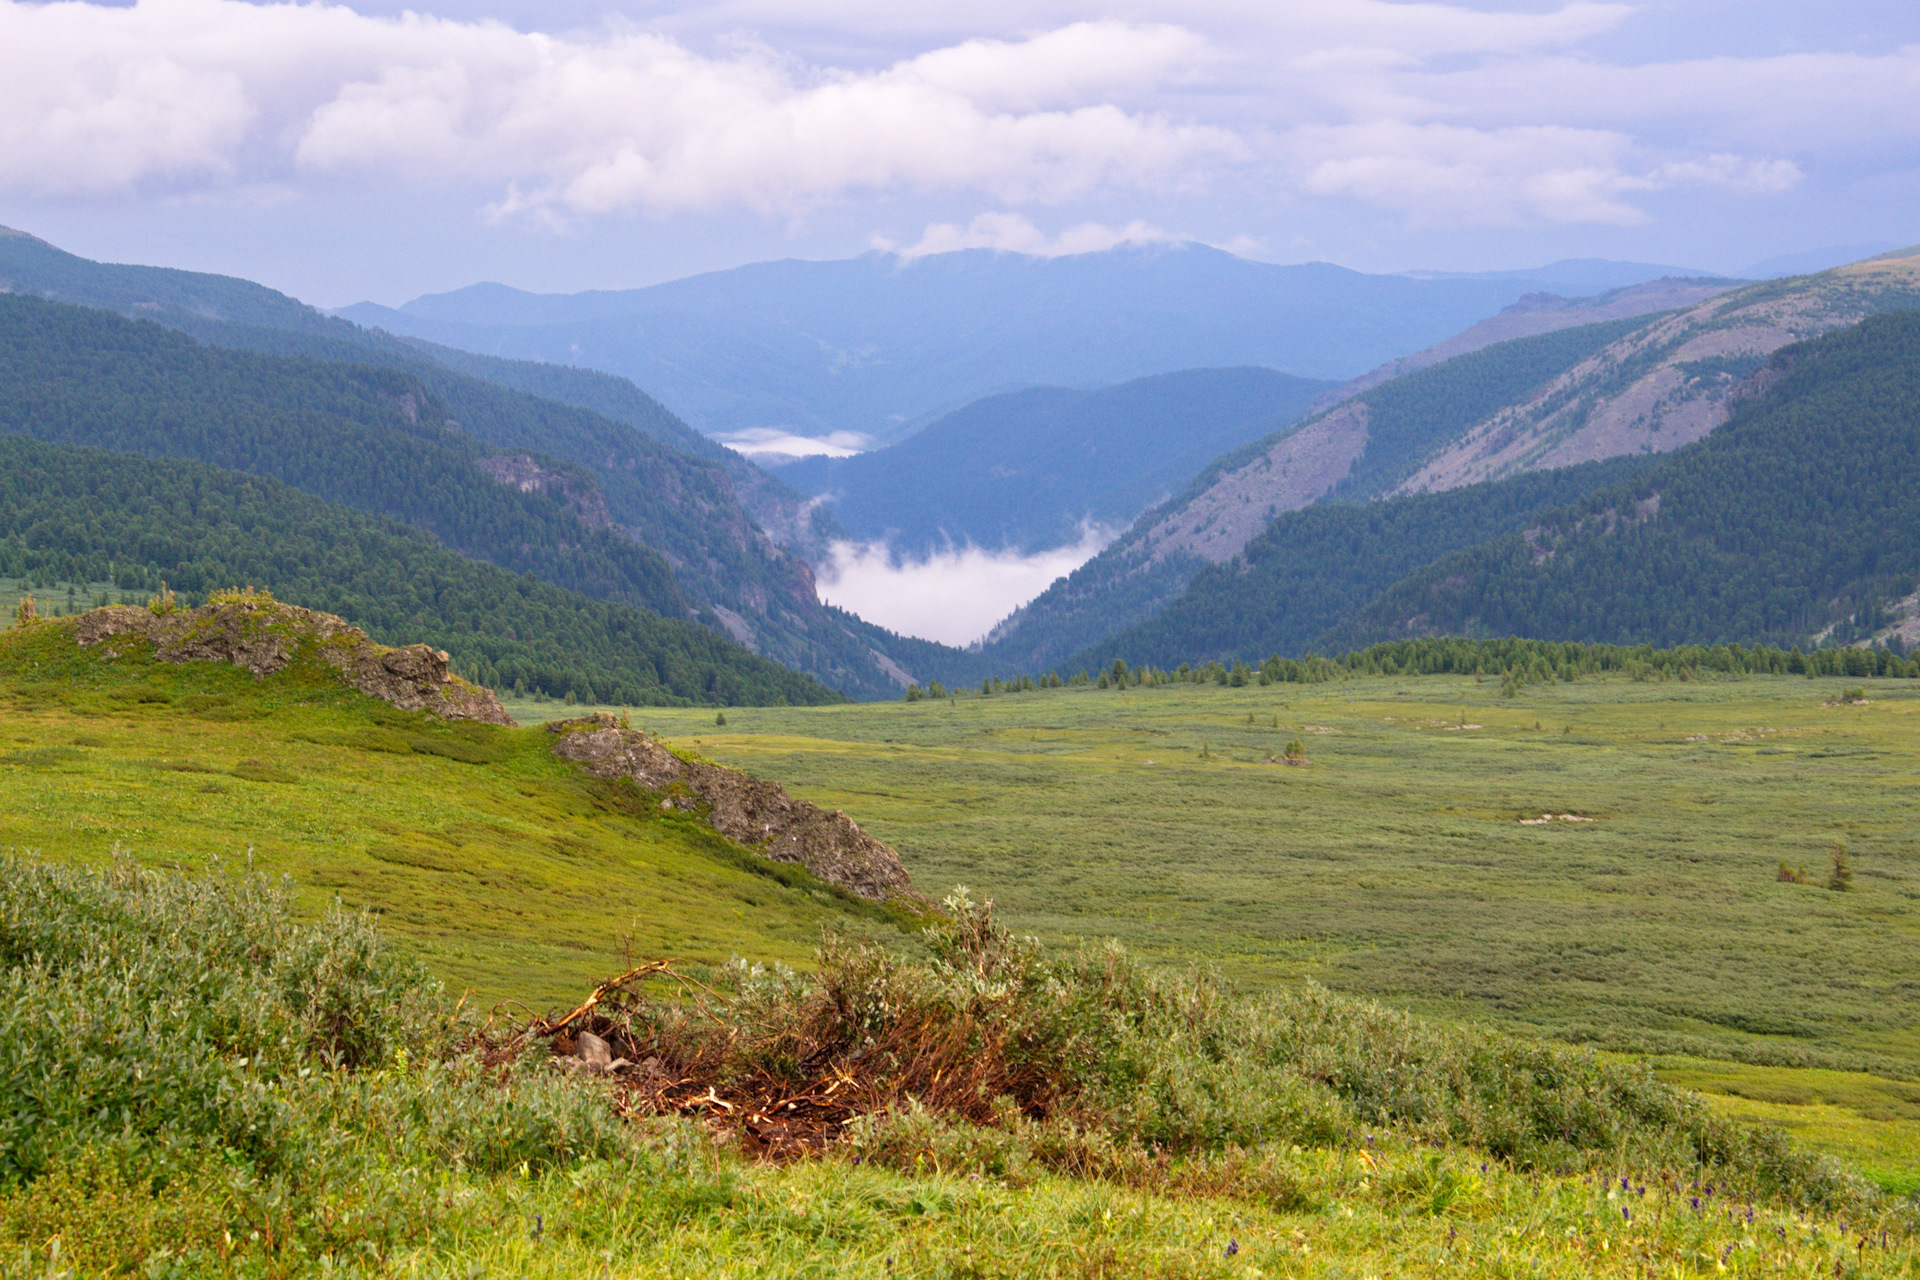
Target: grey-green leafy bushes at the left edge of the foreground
{"points": [[180, 1020]]}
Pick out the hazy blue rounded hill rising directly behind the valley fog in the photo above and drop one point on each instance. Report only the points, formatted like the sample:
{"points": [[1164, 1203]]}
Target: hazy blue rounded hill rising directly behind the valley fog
{"points": [[1032, 469]]}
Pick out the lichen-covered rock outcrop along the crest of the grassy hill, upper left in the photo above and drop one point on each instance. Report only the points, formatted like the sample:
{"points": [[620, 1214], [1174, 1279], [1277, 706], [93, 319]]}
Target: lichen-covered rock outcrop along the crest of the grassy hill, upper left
{"points": [[264, 636]]}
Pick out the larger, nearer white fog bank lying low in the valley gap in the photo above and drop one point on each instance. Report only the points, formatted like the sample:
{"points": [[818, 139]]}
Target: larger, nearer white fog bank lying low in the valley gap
{"points": [[953, 596]]}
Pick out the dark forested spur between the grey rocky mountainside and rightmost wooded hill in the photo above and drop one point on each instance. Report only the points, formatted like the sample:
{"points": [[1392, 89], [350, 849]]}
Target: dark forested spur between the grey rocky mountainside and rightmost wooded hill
{"points": [[1314, 569]]}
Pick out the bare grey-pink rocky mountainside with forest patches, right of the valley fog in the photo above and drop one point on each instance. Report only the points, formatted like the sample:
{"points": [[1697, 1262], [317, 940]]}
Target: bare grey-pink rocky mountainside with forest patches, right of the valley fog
{"points": [[1646, 381]]}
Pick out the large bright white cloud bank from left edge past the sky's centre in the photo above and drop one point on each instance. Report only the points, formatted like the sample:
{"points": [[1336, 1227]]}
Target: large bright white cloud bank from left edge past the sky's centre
{"points": [[101, 99]]}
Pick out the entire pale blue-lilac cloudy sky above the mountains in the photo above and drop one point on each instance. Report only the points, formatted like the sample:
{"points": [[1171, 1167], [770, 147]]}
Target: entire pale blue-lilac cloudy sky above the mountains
{"points": [[373, 151]]}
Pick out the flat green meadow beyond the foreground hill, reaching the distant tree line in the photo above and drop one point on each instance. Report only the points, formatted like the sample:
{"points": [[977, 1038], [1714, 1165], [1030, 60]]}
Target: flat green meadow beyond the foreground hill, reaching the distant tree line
{"points": [[1401, 865]]}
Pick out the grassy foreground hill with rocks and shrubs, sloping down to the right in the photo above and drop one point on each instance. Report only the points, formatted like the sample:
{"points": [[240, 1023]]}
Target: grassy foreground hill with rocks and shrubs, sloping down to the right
{"points": [[210, 1074]]}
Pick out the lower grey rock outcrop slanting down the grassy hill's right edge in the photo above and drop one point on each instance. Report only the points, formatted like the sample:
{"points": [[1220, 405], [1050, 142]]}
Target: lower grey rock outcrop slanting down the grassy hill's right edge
{"points": [[744, 809]]}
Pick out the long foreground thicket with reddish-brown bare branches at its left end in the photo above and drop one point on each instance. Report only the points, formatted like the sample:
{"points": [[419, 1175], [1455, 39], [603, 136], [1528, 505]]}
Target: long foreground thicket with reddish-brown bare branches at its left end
{"points": [[1092, 1051]]}
